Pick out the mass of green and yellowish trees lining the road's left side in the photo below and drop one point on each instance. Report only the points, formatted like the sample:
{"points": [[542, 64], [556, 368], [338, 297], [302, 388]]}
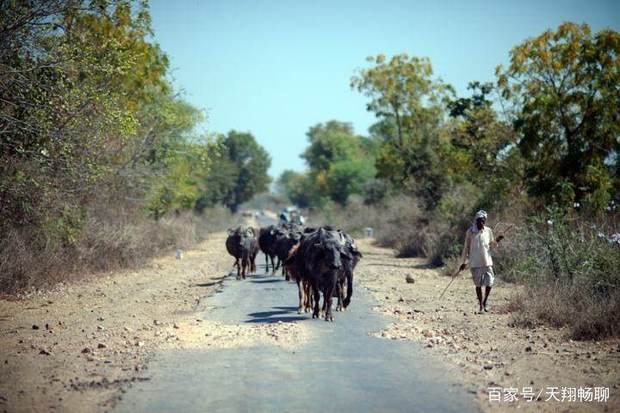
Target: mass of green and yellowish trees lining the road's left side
{"points": [[90, 119]]}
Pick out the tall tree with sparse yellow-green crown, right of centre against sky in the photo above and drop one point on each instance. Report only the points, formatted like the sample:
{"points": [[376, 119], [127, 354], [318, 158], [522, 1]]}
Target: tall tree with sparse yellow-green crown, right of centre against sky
{"points": [[410, 106]]}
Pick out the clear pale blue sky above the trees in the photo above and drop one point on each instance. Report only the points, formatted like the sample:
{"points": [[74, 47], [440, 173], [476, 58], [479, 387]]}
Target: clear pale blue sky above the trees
{"points": [[275, 68]]}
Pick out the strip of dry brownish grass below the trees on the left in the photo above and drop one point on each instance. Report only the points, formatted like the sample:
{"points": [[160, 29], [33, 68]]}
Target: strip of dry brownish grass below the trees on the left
{"points": [[110, 239]]}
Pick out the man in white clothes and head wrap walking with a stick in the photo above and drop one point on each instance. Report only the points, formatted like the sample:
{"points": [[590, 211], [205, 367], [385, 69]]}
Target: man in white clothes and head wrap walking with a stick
{"points": [[479, 241]]}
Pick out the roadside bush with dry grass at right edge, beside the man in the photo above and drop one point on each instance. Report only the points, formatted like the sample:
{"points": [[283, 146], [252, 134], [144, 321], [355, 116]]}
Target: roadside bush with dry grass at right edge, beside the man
{"points": [[570, 269]]}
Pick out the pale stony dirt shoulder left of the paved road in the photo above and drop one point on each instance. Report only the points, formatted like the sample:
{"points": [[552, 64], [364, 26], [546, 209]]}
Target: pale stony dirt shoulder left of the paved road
{"points": [[80, 346]]}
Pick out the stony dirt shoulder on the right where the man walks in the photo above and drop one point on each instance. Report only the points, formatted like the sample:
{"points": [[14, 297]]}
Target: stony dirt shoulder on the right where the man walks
{"points": [[485, 349]]}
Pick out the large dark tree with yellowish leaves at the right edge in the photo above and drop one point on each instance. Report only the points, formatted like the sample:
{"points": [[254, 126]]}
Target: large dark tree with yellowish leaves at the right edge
{"points": [[564, 88]]}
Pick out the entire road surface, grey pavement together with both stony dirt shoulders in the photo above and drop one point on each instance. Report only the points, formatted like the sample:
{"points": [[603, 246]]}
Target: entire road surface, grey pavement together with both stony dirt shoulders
{"points": [[183, 335]]}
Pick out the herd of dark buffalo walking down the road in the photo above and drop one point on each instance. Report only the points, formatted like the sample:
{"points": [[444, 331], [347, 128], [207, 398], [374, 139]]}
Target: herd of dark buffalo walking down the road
{"points": [[318, 259]]}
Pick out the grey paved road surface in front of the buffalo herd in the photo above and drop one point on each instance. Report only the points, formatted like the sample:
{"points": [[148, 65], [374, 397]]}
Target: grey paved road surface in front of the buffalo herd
{"points": [[341, 369]]}
